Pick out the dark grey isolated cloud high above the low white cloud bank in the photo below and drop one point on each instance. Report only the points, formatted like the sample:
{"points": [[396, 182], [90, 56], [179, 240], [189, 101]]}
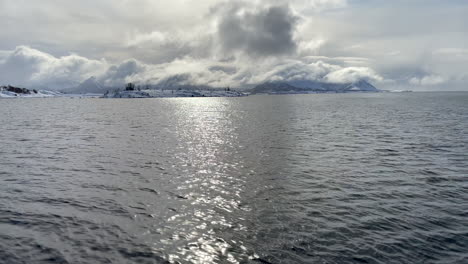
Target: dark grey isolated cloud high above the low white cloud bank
{"points": [[262, 32]]}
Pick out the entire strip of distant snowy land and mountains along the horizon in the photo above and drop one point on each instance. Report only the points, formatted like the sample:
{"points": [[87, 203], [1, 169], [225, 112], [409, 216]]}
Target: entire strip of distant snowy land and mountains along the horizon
{"points": [[91, 87]]}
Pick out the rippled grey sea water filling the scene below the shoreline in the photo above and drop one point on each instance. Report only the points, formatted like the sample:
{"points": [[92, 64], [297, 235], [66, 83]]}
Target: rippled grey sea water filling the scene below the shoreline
{"points": [[326, 178]]}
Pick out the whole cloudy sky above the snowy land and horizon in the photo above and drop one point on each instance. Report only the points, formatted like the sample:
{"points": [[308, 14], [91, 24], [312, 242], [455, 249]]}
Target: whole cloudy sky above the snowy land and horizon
{"points": [[398, 44]]}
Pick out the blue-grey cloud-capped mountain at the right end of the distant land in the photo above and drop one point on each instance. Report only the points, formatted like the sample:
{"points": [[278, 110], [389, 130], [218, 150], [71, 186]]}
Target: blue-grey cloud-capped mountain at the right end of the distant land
{"points": [[306, 86]]}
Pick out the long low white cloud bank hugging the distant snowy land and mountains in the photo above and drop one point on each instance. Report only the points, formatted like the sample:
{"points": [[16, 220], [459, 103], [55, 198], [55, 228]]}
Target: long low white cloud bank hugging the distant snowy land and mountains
{"points": [[29, 67]]}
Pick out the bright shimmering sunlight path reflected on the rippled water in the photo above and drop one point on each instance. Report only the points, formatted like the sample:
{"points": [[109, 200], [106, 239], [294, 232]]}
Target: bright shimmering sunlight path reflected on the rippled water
{"points": [[210, 184]]}
